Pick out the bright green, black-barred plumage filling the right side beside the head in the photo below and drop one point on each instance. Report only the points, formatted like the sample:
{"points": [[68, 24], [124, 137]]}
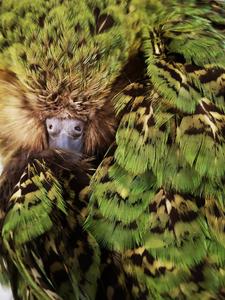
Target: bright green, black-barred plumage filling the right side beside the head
{"points": [[160, 193]]}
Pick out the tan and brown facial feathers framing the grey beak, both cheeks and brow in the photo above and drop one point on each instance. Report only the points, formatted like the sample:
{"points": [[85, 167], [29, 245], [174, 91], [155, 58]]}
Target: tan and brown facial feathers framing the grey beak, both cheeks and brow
{"points": [[23, 112]]}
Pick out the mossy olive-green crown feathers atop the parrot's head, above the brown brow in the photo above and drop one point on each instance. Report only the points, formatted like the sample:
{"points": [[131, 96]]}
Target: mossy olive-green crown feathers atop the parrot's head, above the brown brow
{"points": [[46, 42]]}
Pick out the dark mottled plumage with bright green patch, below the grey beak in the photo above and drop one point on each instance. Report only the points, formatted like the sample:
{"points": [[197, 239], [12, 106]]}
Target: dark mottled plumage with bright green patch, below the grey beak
{"points": [[45, 252]]}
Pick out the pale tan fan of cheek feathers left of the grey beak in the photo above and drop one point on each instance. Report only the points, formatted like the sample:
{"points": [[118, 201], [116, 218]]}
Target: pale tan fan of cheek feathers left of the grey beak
{"points": [[20, 126]]}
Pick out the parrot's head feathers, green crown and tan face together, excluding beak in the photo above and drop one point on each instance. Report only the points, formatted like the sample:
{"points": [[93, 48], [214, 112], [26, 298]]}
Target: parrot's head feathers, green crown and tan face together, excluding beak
{"points": [[60, 60]]}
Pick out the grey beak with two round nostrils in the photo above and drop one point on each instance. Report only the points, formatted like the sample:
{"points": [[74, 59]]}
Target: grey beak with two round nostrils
{"points": [[66, 134]]}
